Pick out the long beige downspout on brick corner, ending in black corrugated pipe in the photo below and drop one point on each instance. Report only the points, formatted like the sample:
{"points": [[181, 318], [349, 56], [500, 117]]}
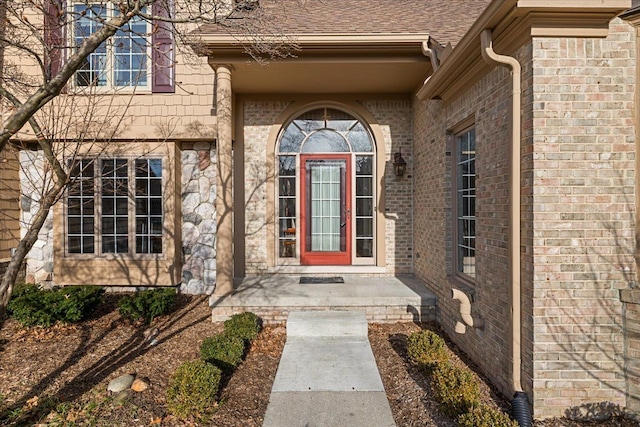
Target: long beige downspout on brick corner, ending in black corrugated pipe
{"points": [[520, 403]]}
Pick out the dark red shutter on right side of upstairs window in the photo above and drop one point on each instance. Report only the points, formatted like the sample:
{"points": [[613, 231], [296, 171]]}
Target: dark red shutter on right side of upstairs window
{"points": [[163, 52]]}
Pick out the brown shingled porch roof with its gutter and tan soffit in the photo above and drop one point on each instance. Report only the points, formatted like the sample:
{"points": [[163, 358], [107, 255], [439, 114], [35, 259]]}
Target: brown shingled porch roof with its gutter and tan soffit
{"points": [[354, 46]]}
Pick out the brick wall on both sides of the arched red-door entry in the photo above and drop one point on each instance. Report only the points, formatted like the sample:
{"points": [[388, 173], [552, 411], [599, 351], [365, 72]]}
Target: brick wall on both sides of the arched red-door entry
{"points": [[394, 118]]}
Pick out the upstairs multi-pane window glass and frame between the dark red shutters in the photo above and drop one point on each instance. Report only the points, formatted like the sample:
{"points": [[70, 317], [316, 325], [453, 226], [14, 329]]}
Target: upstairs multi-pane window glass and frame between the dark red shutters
{"points": [[123, 61]]}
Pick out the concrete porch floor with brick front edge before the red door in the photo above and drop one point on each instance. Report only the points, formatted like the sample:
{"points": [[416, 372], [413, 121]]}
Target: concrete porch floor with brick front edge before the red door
{"points": [[382, 299]]}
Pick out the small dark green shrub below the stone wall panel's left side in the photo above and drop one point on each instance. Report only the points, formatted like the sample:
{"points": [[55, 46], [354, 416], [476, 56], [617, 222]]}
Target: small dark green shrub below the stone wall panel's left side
{"points": [[147, 305]]}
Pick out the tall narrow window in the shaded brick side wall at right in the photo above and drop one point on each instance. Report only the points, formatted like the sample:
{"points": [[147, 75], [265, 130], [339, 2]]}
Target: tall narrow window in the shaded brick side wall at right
{"points": [[465, 203]]}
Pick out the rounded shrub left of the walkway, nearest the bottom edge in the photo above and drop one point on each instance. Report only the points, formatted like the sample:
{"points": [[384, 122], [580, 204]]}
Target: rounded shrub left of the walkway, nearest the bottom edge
{"points": [[193, 389]]}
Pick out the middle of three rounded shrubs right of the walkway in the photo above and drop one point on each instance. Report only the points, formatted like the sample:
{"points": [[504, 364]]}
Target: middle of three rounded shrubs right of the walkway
{"points": [[457, 389]]}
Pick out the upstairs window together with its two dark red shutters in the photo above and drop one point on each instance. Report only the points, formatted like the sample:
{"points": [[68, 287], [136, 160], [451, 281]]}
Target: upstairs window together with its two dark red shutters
{"points": [[140, 56]]}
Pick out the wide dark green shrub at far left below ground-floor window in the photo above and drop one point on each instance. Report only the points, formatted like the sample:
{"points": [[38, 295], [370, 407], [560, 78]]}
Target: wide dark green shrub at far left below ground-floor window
{"points": [[32, 306]]}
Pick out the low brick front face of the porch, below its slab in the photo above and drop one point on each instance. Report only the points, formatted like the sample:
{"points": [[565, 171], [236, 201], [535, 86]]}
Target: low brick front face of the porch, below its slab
{"points": [[378, 313]]}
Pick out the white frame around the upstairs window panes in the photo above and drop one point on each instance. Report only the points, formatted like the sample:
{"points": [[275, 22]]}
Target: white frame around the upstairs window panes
{"points": [[109, 67]]}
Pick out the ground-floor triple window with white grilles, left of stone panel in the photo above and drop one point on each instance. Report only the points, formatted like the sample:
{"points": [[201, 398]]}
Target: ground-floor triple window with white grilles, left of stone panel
{"points": [[115, 206]]}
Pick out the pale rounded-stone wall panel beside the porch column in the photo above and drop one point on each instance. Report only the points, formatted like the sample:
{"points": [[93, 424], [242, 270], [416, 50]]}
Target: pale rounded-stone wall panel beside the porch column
{"points": [[198, 218]]}
